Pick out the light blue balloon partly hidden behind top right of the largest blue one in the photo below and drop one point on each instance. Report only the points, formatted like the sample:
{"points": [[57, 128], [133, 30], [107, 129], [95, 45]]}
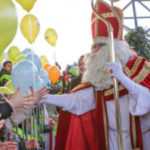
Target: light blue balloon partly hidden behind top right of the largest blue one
{"points": [[35, 59]]}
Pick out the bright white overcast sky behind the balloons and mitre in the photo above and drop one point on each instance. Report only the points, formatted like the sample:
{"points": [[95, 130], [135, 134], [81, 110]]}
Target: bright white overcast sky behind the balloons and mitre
{"points": [[72, 21]]}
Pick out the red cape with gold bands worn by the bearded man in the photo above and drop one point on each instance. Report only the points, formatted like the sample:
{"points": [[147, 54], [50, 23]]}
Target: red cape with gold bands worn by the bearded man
{"points": [[86, 132]]}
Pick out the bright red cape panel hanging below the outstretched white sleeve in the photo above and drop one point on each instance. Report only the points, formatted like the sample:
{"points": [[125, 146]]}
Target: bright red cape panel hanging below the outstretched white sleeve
{"points": [[81, 134]]}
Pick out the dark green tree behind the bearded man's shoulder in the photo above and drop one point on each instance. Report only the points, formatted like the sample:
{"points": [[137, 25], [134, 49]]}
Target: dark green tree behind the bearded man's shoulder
{"points": [[139, 41]]}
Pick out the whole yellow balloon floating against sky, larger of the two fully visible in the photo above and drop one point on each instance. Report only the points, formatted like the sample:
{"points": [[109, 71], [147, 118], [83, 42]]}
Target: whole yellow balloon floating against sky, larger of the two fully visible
{"points": [[30, 27]]}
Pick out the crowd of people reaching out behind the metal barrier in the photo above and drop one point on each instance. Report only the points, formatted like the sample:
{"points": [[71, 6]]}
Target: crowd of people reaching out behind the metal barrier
{"points": [[15, 108]]}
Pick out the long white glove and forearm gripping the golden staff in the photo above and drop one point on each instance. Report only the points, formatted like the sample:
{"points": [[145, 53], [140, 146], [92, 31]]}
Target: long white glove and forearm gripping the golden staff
{"points": [[118, 73]]}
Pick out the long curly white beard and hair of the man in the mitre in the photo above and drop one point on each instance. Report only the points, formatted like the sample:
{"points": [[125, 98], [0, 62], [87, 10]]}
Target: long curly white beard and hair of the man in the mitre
{"points": [[97, 73]]}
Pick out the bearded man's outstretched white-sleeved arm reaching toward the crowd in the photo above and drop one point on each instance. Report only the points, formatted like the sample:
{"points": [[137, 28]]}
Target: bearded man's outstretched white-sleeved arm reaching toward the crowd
{"points": [[77, 103]]}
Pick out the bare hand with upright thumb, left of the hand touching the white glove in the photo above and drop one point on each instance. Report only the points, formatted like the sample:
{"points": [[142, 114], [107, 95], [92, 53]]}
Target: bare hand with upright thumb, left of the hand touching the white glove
{"points": [[22, 100]]}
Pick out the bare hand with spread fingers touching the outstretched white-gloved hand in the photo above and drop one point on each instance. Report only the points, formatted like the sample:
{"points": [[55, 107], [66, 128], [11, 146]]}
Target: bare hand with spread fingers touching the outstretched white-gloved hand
{"points": [[40, 94]]}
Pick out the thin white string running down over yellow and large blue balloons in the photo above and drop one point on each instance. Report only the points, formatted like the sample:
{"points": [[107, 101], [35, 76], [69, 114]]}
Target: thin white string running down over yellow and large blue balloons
{"points": [[30, 31]]}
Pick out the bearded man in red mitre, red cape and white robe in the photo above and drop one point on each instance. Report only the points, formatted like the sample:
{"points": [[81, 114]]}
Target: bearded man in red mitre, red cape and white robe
{"points": [[87, 120]]}
